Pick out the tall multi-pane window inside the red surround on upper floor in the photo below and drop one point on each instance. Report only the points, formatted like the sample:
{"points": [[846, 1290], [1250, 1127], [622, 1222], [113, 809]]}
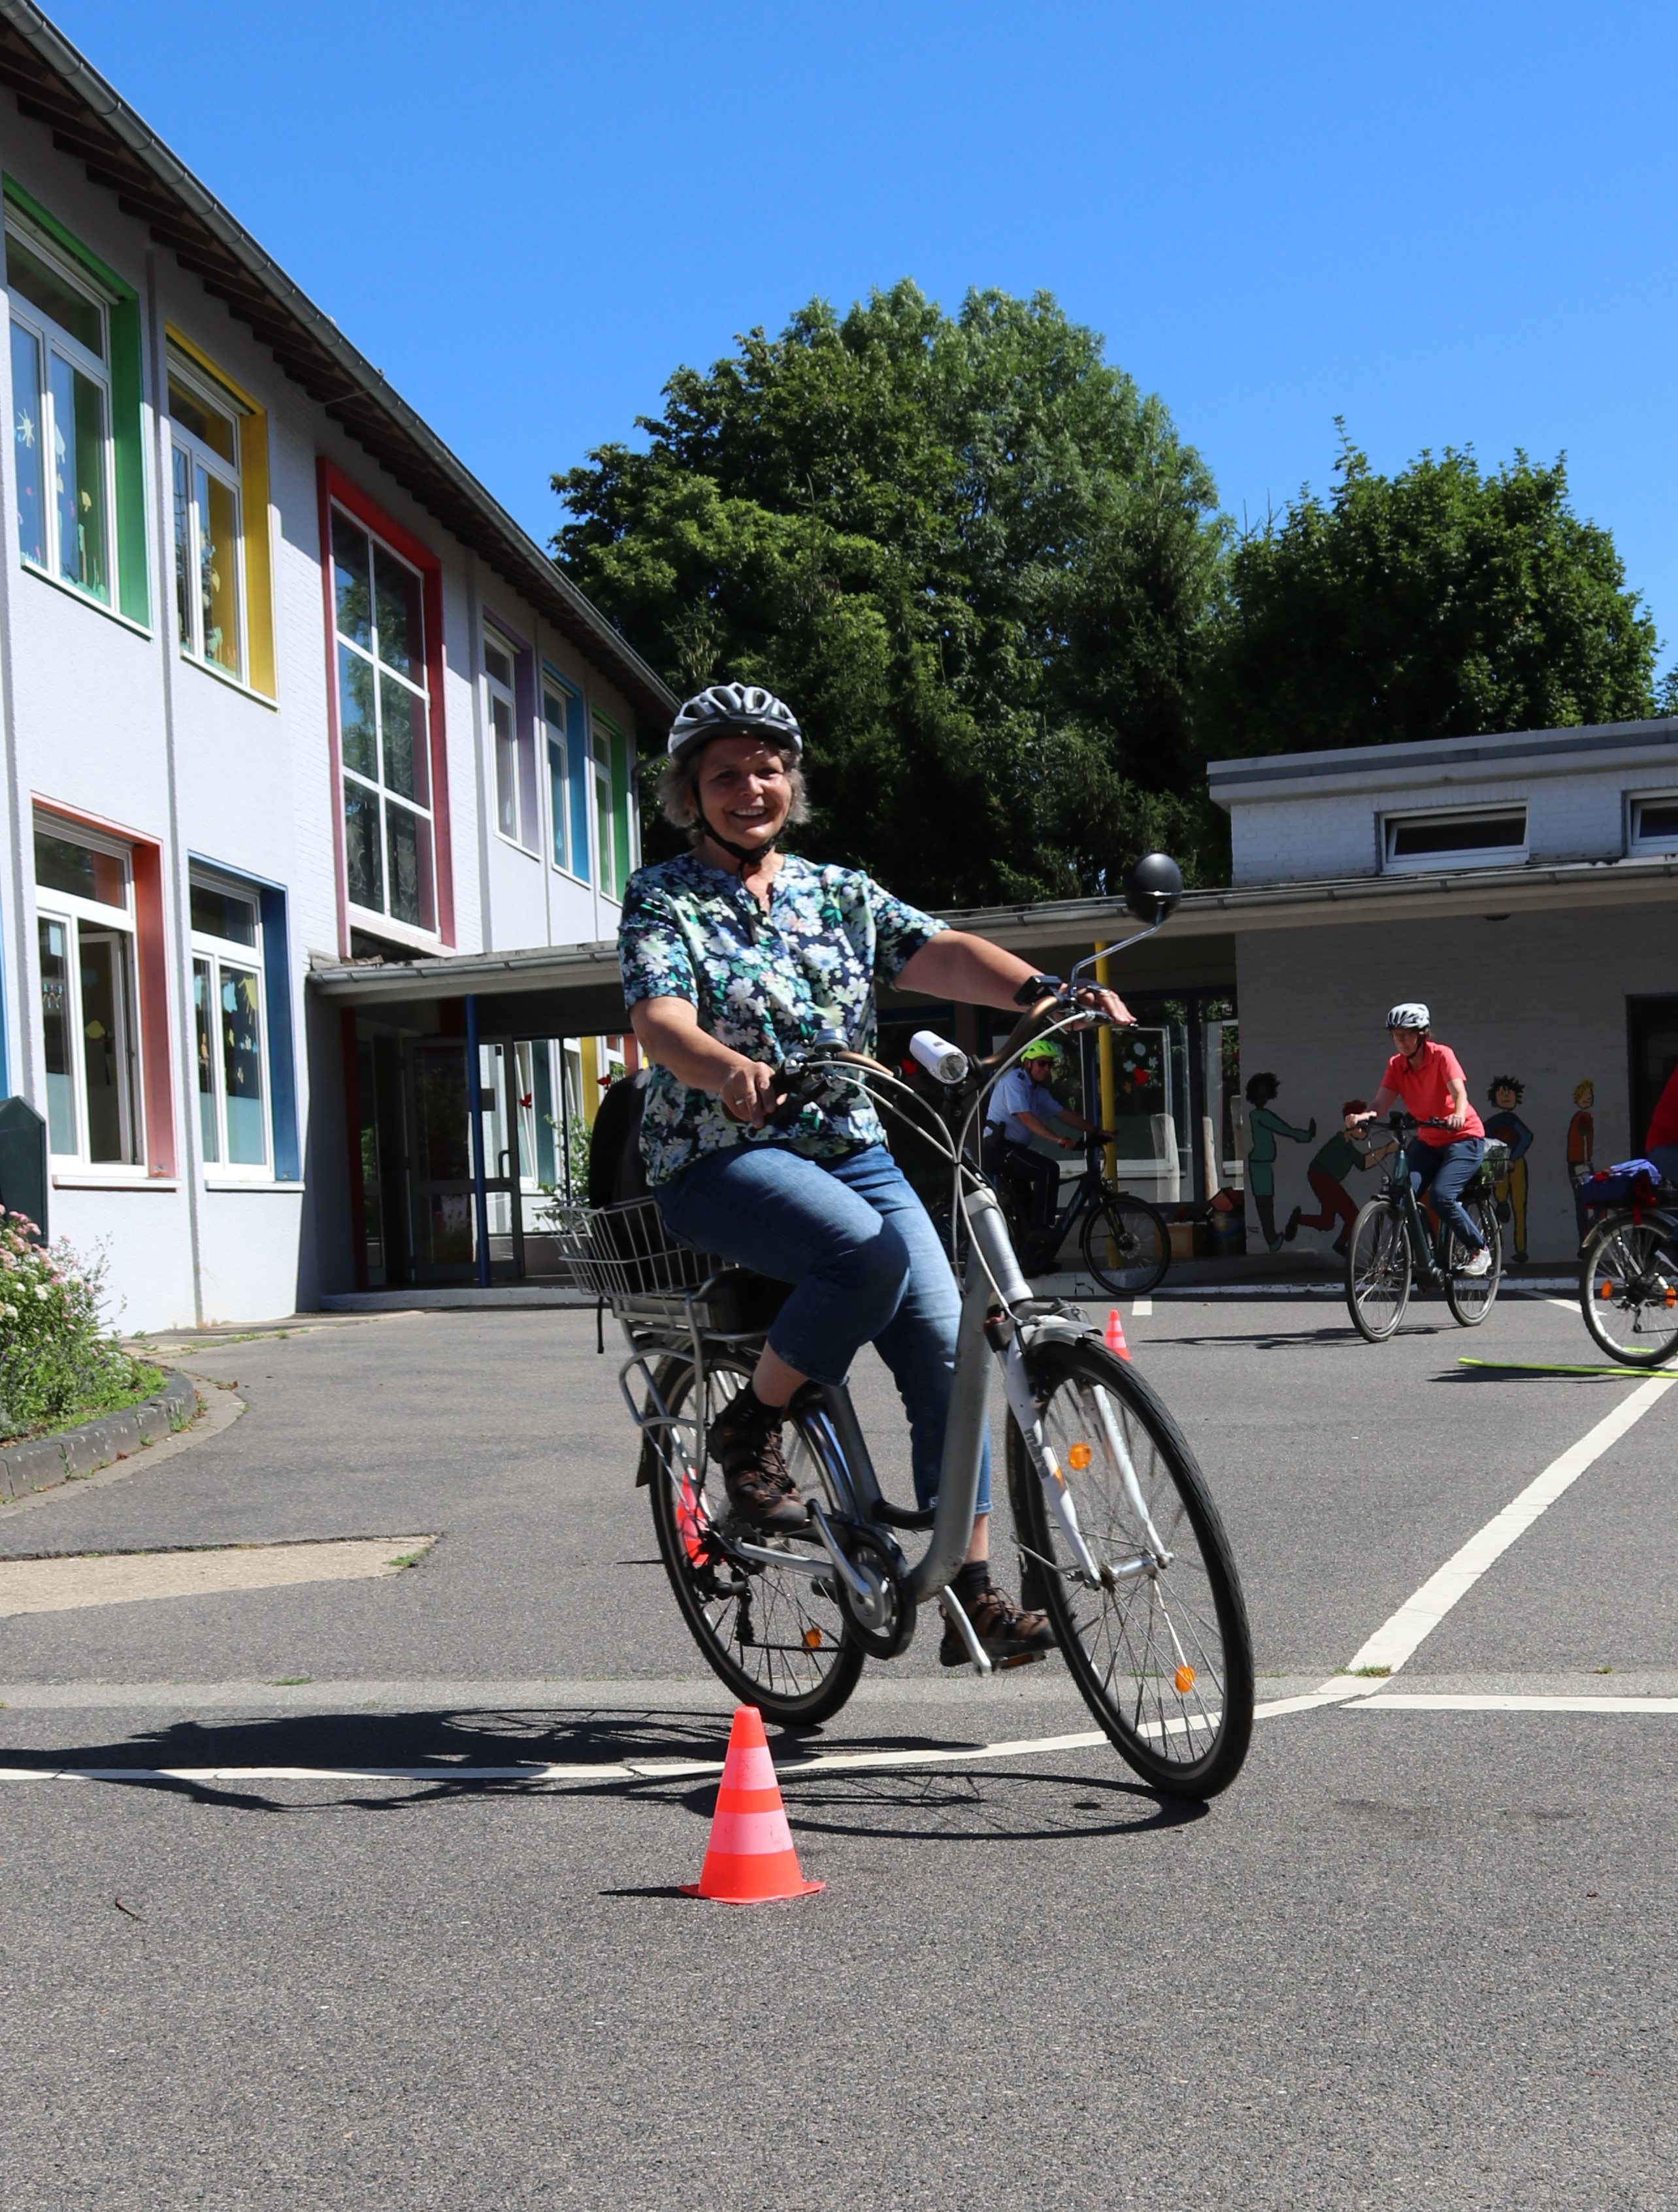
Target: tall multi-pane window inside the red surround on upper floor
{"points": [[384, 729]]}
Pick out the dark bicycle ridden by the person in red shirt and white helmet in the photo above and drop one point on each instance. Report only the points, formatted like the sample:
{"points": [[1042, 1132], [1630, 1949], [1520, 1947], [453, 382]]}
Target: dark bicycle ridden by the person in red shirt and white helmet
{"points": [[1391, 1246]]}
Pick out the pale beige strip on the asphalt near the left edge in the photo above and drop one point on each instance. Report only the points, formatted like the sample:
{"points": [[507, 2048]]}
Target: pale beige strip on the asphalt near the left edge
{"points": [[127, 1578]]}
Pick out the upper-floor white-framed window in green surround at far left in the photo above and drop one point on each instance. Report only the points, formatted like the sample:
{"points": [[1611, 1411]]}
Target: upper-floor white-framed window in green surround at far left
{"points": [[61, 404]]}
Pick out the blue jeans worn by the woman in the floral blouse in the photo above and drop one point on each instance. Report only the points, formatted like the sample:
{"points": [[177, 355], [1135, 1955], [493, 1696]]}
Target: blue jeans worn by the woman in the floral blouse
{"points": [[864, 1262]]}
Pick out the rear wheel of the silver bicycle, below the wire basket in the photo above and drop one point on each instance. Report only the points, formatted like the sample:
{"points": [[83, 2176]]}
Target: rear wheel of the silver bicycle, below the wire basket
{"points": [[774, 1665]]}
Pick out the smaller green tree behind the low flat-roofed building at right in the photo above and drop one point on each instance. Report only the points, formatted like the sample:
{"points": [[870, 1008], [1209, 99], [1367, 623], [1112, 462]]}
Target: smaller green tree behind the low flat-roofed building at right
{"points": [[1436, 603]]}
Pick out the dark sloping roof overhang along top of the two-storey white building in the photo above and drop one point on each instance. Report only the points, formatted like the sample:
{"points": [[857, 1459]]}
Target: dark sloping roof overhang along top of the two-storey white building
{"points": [[92, 123]]}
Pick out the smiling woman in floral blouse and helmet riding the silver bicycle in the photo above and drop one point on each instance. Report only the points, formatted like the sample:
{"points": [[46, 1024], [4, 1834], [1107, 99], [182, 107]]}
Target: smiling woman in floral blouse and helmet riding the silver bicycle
{"points": [[736, 959]]}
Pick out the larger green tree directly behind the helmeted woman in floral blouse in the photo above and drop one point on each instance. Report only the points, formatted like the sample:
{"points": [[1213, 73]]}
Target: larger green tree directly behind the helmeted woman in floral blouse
{"points": [[969, 552]]}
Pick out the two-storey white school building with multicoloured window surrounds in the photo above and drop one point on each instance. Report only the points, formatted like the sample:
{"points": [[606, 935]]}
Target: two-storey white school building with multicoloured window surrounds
{"points": [[284, 693]]}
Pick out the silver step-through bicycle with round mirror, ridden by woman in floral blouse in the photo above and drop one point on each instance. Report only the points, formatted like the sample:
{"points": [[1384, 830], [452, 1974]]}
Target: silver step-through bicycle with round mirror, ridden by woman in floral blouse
{"points": [[1117, 1530]]}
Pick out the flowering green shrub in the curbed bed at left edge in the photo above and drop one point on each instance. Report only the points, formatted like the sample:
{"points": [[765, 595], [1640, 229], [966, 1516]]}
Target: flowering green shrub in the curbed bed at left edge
{"points": [[54, 1353]]}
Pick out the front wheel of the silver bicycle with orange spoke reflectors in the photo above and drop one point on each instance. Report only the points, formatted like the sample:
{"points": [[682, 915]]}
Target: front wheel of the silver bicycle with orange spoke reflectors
{"points": [[1146, 1662]]}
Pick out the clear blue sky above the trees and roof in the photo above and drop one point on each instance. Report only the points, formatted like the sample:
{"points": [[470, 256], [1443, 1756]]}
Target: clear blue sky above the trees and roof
{"points": [[1449, 225]]}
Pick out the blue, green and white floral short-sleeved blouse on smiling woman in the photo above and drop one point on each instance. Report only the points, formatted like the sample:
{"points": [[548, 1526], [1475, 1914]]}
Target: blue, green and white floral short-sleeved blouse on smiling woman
{"points": [[765, 985]]}
